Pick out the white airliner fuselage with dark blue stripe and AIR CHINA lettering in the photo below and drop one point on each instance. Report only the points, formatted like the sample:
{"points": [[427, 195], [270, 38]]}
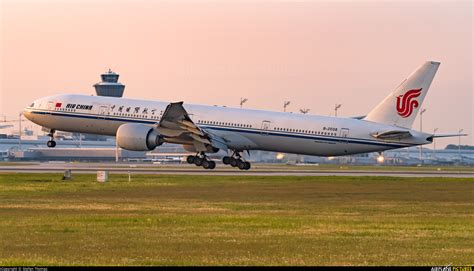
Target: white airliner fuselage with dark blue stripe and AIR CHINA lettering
{"points": [[243, 129]]}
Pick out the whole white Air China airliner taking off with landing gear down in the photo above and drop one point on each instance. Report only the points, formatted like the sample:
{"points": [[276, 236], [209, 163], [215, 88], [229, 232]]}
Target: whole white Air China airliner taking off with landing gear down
{"points": [[143, 125]]}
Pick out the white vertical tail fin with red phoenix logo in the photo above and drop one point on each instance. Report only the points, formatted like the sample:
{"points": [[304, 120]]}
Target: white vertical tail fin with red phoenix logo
{"points": [[401, 106]]}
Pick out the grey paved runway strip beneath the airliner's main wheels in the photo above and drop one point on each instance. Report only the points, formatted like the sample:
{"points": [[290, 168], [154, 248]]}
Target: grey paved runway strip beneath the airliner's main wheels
{"points": [[224, 171]]}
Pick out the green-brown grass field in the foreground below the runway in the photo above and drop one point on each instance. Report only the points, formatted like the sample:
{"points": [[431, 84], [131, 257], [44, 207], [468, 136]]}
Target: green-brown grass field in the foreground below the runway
{"points": [[235, 220]]}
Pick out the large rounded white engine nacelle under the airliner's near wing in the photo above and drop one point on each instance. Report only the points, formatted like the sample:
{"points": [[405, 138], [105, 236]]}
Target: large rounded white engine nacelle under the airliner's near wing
{"points": [[138, 137]]}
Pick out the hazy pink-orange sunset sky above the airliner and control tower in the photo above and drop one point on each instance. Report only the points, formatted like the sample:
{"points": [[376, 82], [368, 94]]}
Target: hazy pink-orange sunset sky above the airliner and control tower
{"points": [[312, 53]]}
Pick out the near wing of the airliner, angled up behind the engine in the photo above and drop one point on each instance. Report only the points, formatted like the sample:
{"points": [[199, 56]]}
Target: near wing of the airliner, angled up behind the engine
{"points": [[176, 124]]}
